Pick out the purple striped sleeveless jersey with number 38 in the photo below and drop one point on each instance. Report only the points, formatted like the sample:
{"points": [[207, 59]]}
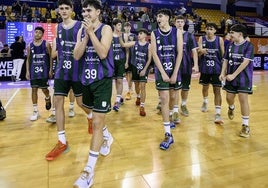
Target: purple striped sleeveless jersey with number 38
{"points": [[67, 67]]}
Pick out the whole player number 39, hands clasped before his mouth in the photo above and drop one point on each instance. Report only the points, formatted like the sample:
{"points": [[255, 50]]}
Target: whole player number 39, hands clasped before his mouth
{"points": [[94, 48]]}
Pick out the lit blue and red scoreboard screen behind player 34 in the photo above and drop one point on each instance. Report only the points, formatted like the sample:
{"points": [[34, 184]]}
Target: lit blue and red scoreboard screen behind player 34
{"points": [[26, 29]]}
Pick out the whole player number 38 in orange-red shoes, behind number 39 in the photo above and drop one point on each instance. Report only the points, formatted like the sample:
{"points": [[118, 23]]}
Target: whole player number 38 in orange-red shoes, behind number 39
{"points": [[66, 74]]}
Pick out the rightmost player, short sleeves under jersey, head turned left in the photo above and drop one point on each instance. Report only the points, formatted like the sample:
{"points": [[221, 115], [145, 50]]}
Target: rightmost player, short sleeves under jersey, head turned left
{"points": [[237, 73]]}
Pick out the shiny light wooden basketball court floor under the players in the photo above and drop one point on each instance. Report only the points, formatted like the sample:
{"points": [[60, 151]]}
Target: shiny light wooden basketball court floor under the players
{"points": [[203, 155]]}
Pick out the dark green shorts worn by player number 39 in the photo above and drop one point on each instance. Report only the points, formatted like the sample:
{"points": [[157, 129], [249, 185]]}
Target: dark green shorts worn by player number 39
{"points": [[97, 96]]}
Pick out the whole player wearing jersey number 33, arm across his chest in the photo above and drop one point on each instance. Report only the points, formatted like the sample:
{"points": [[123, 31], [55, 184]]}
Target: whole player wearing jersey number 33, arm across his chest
{"points": [[211, 50]]}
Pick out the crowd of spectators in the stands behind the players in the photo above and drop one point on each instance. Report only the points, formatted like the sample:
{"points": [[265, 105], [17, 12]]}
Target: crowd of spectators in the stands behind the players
{"points": [[22, 12]]}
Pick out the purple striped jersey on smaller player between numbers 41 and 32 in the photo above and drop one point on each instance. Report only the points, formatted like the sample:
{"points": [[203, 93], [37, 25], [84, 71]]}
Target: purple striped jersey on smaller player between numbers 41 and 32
{"points": [[140, 55]]}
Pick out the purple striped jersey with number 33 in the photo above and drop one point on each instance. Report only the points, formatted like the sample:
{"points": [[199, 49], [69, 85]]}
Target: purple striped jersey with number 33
{"points": [[211, 63]]}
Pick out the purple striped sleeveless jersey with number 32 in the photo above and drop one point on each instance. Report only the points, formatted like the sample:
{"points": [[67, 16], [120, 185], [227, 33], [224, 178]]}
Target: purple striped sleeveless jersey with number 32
{"points": [[166, 47]]}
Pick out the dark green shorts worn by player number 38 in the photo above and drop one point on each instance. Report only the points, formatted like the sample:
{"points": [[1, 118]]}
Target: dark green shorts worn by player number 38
{"points": [[62, 87]]}
